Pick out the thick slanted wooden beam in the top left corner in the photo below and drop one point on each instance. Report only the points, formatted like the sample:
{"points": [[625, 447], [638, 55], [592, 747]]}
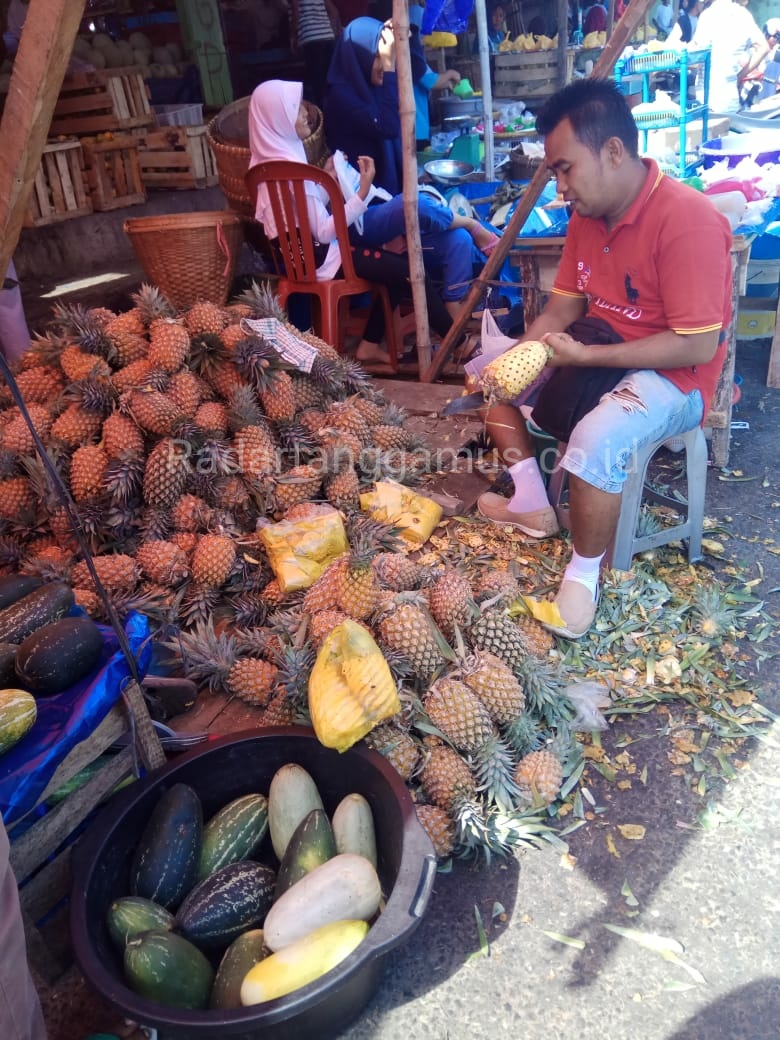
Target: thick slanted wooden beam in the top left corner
{"points": [[40, 67]]}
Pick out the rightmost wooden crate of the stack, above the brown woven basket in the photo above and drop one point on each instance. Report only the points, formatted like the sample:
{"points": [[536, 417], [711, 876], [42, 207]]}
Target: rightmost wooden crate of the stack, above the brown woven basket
{"points": [[177, 158]]}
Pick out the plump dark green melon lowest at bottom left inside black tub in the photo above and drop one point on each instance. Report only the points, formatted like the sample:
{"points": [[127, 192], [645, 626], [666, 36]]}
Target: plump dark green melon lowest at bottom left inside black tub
{"points": [[165, 968]]}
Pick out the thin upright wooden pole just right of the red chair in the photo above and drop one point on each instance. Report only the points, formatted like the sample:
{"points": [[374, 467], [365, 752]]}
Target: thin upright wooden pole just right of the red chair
{"points": [[407, 111]]}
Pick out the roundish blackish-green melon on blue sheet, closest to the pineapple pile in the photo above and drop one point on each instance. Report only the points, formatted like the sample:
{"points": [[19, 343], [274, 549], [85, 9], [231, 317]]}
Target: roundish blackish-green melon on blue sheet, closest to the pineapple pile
{"points": [[56, 657]]}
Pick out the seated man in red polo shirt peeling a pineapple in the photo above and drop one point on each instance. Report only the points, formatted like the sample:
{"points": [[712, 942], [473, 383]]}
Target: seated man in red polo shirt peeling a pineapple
{"points": [[652, 257]]}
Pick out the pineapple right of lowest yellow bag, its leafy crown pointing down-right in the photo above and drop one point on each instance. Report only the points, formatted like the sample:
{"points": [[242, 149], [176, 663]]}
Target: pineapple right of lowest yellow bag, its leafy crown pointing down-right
{"points": [[465, 721]]}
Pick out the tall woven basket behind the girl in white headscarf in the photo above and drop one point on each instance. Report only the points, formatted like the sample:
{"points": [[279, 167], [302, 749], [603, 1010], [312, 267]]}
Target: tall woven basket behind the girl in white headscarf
{"points": [[229, 136]]}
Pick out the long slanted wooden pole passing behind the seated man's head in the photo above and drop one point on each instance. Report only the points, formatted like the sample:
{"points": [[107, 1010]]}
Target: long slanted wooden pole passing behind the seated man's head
{"points": [[635, 14]]}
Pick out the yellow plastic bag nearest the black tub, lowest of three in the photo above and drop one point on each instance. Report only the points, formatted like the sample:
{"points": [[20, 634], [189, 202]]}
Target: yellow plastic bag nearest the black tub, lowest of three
{"points": [[351, 688]]}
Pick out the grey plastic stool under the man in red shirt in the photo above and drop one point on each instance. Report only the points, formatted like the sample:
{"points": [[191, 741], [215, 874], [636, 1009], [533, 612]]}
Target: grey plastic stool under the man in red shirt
{"points": [[627, 544]]}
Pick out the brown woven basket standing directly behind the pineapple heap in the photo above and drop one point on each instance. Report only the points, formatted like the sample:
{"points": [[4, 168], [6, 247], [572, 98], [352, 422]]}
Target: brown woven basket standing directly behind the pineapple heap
{"points": [[189, 256]]}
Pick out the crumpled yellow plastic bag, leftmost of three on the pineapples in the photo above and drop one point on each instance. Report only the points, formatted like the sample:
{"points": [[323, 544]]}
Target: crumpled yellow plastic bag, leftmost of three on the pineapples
{"points": [[300, 552]]}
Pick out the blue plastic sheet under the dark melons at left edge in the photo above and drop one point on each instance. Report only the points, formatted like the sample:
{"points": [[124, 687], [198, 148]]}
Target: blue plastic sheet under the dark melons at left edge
{"points": [[68, 719]]}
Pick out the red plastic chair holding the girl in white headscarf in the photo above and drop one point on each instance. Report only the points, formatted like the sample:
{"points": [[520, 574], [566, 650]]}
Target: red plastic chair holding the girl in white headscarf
{"points": [[287, 190]]}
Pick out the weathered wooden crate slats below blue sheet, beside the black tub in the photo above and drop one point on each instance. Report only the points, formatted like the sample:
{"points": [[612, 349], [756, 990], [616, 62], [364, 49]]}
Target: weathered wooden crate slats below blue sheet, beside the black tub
{"points": [[41, 855]]}
